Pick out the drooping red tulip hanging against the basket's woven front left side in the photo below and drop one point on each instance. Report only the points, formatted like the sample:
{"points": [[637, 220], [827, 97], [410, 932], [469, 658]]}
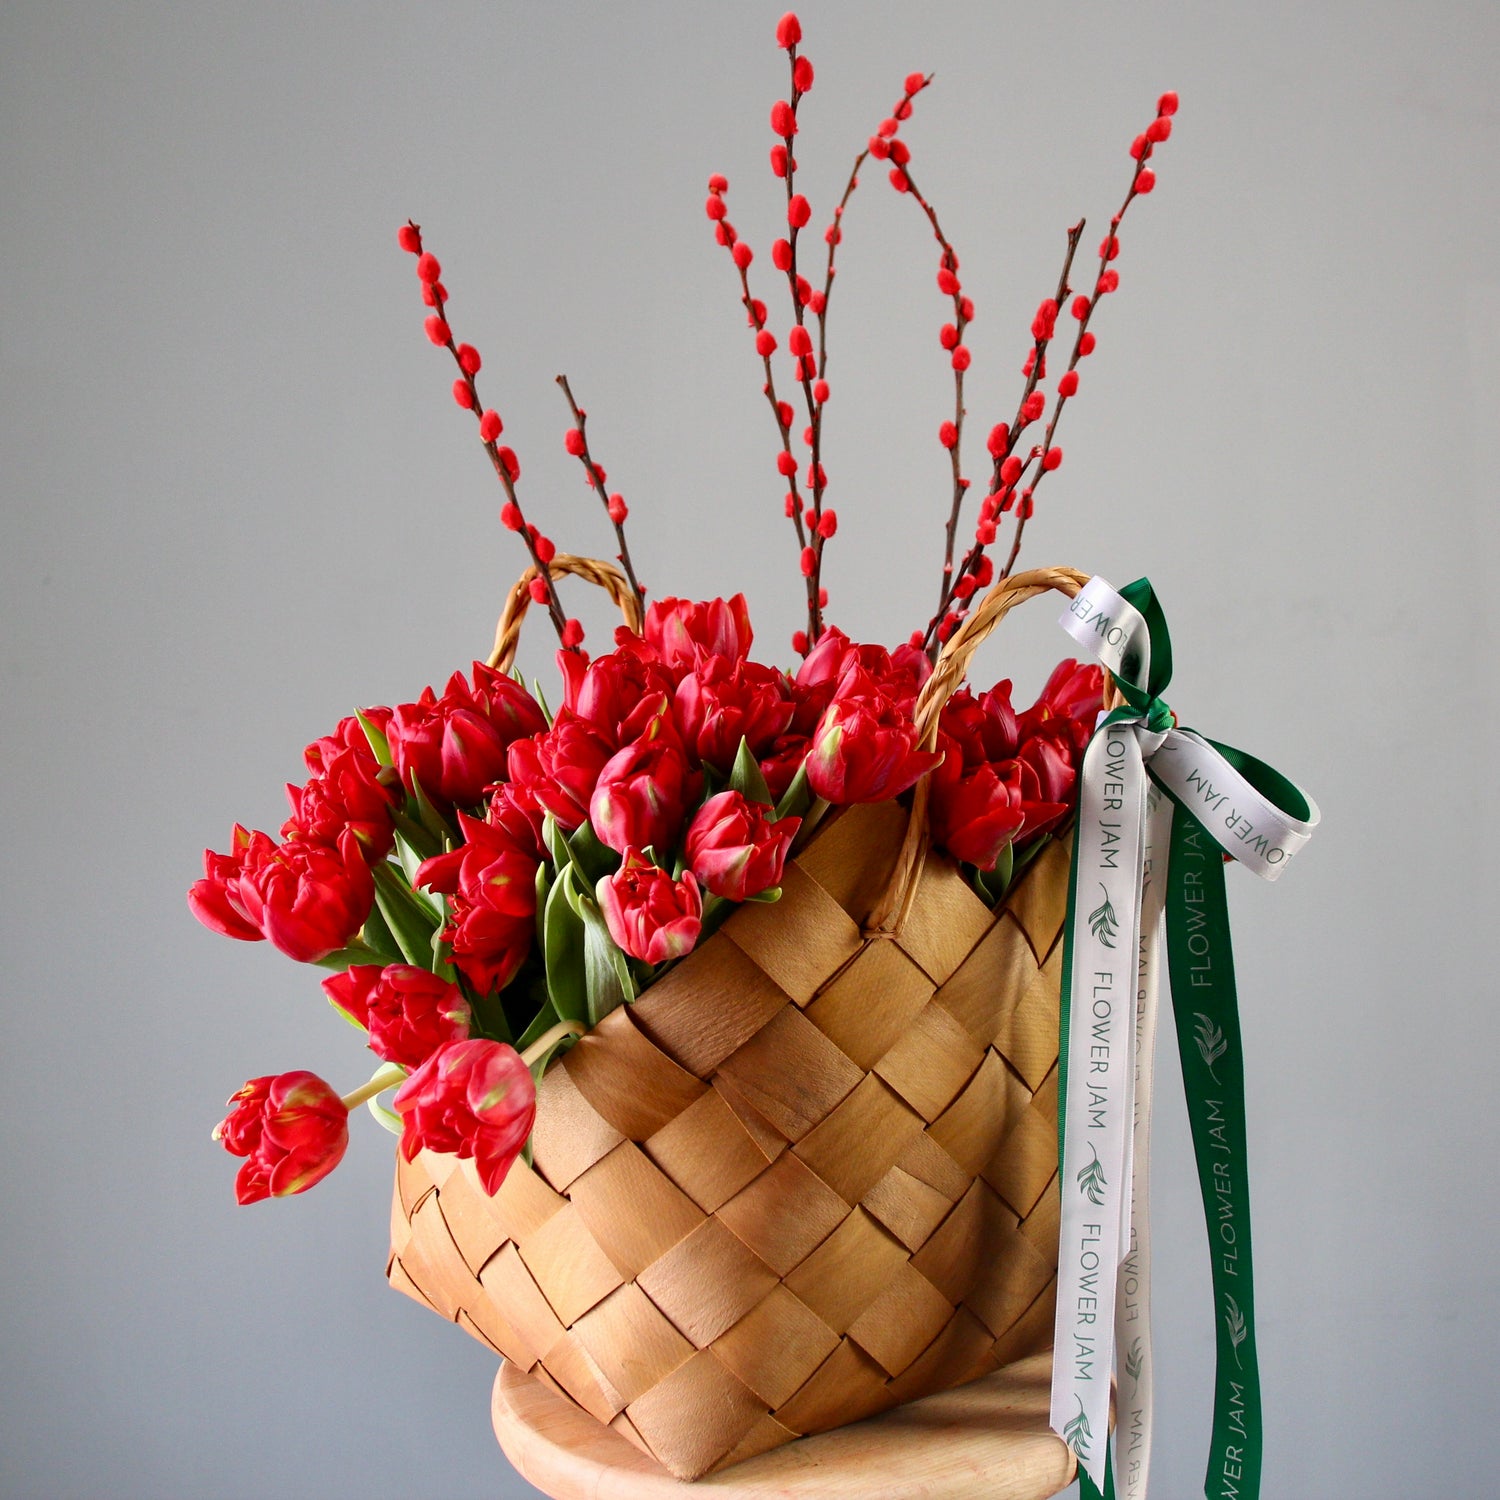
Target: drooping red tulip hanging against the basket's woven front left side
{"points": [[473, 1099]]}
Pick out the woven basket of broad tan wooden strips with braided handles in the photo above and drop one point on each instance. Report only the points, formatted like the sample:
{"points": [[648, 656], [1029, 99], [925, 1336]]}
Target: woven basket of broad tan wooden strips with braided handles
{"points": [[809, 1175]]}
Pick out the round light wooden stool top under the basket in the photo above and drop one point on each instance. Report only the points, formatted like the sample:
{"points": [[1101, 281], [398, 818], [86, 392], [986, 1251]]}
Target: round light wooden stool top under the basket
{"points": [[986, 1439]]}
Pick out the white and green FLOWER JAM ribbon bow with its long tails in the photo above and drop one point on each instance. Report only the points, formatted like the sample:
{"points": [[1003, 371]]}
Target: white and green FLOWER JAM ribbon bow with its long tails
{"points": [[1157, 806]]}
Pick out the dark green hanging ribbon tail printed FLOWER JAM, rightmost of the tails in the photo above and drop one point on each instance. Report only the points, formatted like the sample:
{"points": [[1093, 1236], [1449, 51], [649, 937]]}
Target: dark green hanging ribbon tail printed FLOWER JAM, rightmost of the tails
{"points": [[1207, 1013]]}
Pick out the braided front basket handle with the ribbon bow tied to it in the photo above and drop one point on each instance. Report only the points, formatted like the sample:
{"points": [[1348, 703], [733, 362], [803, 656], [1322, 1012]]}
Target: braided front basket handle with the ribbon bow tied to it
{"points": [[953, 662]]}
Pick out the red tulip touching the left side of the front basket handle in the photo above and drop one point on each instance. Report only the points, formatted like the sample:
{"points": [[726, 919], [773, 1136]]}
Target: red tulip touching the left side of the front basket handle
{"points": [[865, 749]]}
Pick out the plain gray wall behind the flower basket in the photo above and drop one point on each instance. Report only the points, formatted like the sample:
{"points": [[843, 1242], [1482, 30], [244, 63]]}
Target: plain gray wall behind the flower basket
{"points": [[238, 502]]}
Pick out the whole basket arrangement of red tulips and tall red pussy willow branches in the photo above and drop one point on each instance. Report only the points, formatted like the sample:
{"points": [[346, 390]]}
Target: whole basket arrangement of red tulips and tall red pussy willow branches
{"points": [[721, 1006]]}
